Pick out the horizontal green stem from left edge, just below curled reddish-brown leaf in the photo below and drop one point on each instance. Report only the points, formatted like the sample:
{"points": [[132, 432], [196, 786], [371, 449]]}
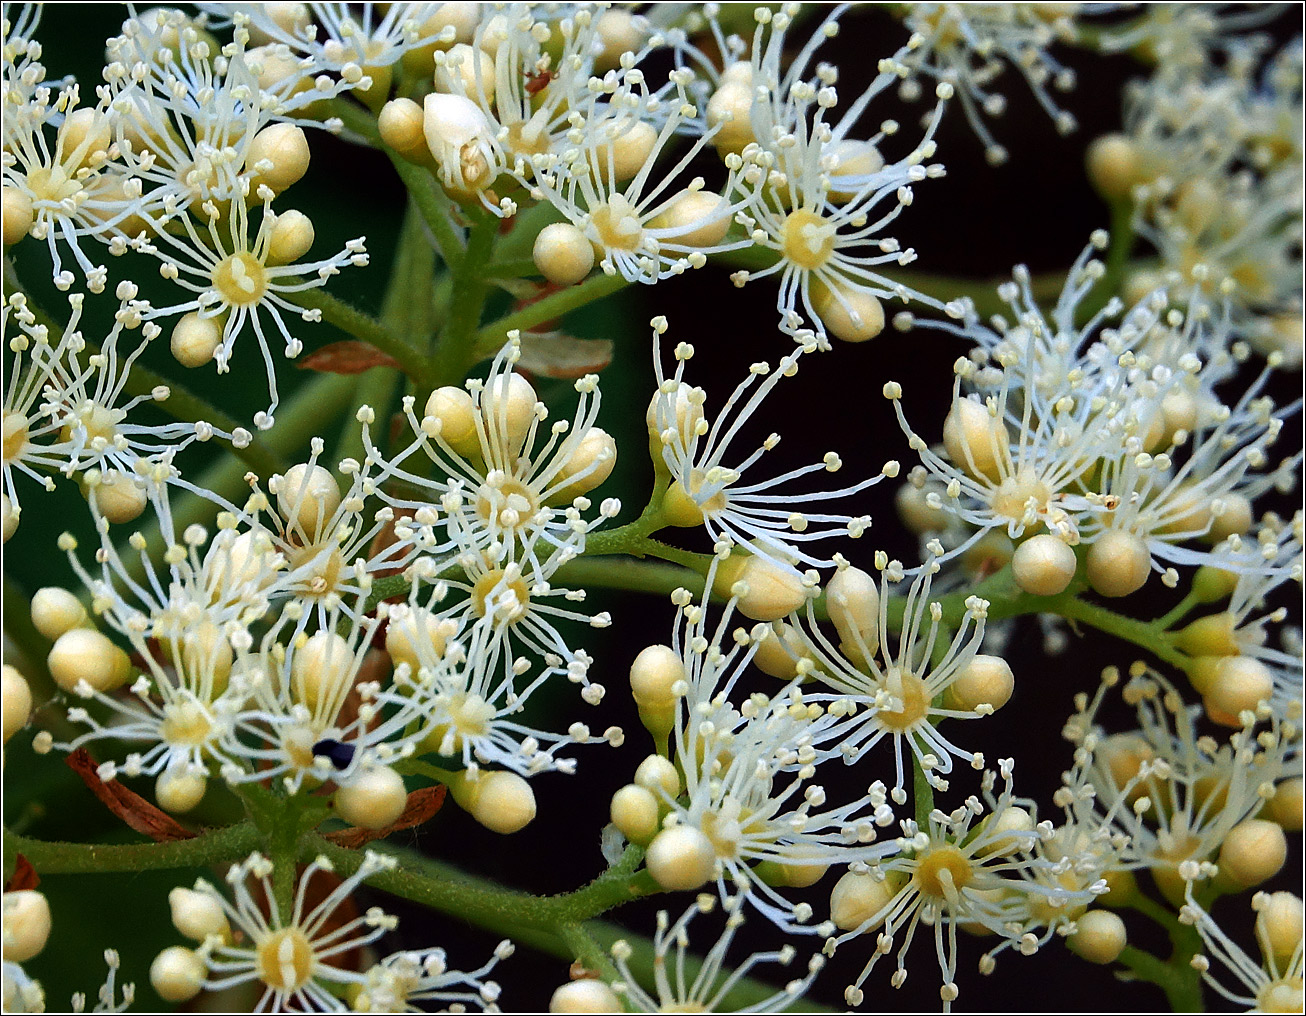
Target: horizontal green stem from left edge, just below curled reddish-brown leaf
{"points": [[61, 859]]}
